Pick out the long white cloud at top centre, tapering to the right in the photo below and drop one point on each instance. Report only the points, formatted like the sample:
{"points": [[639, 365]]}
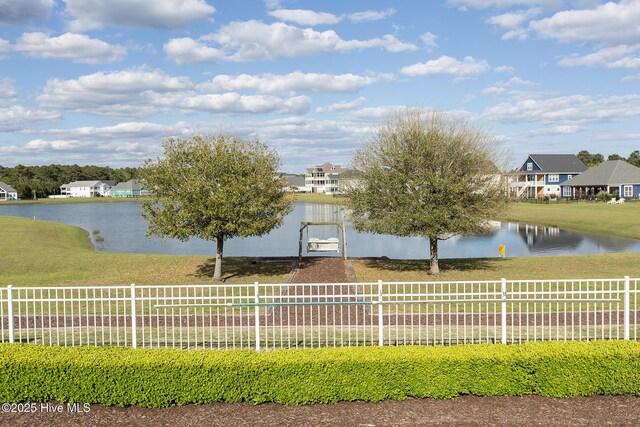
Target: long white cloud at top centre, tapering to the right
{"points": [[255, 40]]}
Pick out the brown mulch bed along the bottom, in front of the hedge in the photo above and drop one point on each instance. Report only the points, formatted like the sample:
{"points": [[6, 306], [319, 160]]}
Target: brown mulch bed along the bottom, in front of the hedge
{"points": [[466, 410]]}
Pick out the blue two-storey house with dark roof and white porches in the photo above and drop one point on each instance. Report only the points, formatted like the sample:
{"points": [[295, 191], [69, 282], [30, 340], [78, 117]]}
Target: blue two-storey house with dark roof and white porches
{"points": [[541, 174]]}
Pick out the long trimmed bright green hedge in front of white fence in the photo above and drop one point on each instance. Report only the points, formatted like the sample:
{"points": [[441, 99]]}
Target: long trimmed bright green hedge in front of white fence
{"points": [[156, 378]]}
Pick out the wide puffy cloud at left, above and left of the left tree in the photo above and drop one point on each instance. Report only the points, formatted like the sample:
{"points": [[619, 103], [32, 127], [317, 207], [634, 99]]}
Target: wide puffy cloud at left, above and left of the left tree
{"points": [[134, 93]]}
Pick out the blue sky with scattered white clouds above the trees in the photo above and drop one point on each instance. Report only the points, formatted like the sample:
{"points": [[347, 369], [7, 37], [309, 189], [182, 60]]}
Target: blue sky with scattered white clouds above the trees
{"points": [[106, 82]]}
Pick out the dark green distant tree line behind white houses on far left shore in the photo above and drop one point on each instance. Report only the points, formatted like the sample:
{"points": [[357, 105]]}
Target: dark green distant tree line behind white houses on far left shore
{"points": [[42, 181]]}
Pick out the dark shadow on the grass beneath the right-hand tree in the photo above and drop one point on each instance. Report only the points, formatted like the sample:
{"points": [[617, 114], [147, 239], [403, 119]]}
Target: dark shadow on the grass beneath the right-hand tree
{"points": [[461, 264]]}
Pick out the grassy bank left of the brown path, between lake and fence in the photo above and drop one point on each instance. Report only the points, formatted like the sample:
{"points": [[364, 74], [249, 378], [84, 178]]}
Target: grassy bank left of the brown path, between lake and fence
{"points": [[42, 253]]}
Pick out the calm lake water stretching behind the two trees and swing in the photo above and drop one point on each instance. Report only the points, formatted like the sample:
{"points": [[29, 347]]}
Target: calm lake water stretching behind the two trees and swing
{"points": [[123, 230]]}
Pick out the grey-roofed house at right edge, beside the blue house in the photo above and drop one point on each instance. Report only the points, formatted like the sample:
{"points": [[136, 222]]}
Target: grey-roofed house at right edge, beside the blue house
{"points": [[615, 177]]}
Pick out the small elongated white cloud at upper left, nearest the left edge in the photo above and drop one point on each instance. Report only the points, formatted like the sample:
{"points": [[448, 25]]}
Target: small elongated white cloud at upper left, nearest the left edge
{"points": [[75, 47]]}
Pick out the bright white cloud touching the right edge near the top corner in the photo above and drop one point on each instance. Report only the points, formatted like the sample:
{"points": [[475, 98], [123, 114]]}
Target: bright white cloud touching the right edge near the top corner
{"points": [[609, 23]]}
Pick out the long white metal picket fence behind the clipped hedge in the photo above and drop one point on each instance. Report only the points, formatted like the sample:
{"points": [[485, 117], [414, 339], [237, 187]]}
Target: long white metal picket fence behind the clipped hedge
{"points": [[268, 316]]}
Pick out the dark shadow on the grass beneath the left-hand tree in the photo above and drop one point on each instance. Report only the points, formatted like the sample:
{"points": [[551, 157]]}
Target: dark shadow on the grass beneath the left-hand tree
{"points": [[244, 267]]}
